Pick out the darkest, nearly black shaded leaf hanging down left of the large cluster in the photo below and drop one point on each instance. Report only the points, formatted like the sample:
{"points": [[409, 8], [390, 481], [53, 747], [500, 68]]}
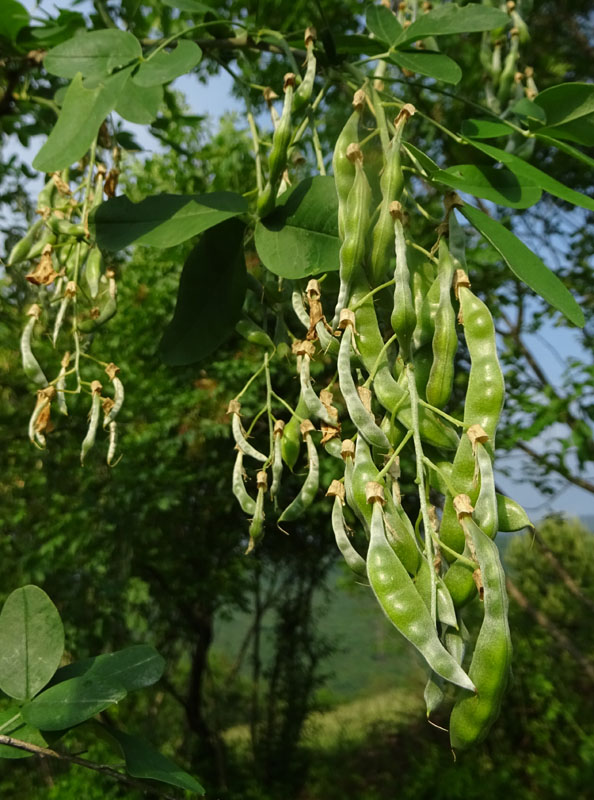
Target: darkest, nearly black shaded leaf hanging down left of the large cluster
{"points": [[210, 297]]}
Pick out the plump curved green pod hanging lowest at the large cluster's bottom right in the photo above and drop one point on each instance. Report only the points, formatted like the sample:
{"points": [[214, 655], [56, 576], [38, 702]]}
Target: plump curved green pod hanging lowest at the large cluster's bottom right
{"points": [[473, 715]]}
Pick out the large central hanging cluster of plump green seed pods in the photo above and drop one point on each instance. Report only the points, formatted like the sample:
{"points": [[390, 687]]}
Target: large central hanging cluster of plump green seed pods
{"points": [[391, 395]]}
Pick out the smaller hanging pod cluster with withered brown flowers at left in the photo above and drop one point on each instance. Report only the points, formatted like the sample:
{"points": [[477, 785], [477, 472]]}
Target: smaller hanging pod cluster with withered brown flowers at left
{"points": [[74, 294]]}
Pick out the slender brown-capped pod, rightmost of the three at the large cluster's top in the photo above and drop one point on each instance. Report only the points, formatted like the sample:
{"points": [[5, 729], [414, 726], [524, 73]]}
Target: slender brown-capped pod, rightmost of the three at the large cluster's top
{"points": [[391, 185]]}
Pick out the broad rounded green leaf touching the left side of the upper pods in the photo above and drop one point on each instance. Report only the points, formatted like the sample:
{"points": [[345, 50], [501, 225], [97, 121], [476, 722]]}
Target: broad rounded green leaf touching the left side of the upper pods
{"points": [[300, 237]]}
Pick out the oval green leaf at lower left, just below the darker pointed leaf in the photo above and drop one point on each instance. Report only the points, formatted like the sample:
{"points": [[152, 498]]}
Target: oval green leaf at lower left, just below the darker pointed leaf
{"points": [[71, 702]]}
